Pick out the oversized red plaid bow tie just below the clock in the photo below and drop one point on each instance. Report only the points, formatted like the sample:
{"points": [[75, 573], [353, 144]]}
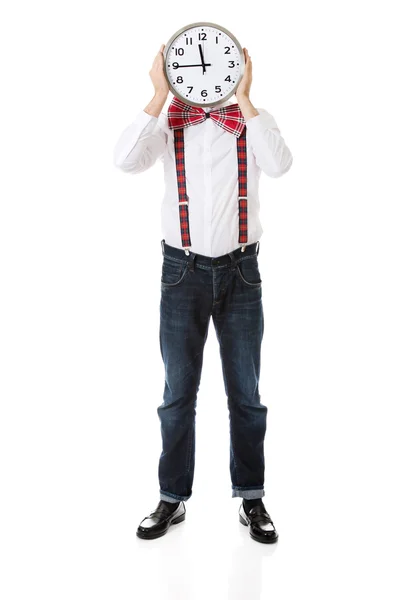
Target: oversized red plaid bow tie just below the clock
{"points": [[228, 117]]}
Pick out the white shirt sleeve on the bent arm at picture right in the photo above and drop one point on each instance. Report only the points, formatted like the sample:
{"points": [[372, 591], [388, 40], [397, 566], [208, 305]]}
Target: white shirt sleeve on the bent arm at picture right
{"points": [[270, 150]]}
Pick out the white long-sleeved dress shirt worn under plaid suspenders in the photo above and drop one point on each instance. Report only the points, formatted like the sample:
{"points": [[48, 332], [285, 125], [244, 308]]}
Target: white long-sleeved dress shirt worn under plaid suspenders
{"points": [[211, 175]]}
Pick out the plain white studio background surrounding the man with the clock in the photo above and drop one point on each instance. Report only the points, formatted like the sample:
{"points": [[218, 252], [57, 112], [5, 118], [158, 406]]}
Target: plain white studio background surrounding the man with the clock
{"points": [[81, 370]]}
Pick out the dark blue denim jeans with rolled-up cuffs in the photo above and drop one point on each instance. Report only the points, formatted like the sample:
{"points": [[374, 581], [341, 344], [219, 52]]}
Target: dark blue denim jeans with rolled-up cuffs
{"points": [[228, 289]]}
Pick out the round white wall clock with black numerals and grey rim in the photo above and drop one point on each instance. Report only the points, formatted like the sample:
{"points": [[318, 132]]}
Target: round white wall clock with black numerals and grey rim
{"points": [[203, 64]]}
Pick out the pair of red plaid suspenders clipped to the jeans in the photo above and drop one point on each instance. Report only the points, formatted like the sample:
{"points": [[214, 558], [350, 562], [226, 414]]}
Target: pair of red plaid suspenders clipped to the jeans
{"points": [[179, 144]]}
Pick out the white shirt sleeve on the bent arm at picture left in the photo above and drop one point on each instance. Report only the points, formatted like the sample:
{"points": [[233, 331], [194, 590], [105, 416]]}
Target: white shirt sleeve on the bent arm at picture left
{"points": [[140, 144]]}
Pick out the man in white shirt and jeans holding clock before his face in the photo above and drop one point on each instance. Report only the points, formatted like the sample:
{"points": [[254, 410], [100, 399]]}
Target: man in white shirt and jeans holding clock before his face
{"points": [[210, 269]]}
